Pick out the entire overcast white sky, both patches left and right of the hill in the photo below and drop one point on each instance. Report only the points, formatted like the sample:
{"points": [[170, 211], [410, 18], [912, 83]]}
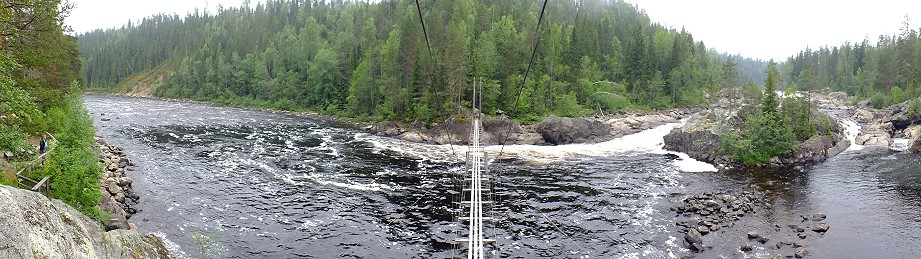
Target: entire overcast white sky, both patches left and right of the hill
{"points": [[758, 29]]}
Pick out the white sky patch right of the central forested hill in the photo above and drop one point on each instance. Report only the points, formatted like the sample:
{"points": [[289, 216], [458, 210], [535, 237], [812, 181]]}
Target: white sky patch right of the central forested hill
{"points": [[780, 28]]}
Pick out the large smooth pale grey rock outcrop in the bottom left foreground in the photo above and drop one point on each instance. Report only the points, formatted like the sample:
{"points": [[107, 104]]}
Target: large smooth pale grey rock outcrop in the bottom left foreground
{"points": [[33, 226]]}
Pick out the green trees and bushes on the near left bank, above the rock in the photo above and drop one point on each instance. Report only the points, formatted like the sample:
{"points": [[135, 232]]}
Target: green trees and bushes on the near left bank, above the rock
{"points": [[39, 94]]}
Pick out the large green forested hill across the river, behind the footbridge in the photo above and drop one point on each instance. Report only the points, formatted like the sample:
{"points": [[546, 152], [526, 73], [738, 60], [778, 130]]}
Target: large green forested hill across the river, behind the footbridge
{"points": [[372, 61]]}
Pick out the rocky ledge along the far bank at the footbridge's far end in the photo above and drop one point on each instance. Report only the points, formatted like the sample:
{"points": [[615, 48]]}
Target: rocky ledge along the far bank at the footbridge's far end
{"points": [[552, 130]]}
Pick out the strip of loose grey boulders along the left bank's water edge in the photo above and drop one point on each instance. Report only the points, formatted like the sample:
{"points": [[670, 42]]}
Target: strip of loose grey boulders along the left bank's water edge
{"points": [[115, 193]]}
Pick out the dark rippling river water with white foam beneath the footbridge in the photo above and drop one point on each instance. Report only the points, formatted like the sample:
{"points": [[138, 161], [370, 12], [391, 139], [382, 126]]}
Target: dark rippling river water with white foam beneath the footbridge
{"points": [[272, 185]]}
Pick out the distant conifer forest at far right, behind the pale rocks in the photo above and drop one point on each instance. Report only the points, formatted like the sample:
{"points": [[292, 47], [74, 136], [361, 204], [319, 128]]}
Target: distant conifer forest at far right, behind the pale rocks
{"points": [[886, 73]]}
